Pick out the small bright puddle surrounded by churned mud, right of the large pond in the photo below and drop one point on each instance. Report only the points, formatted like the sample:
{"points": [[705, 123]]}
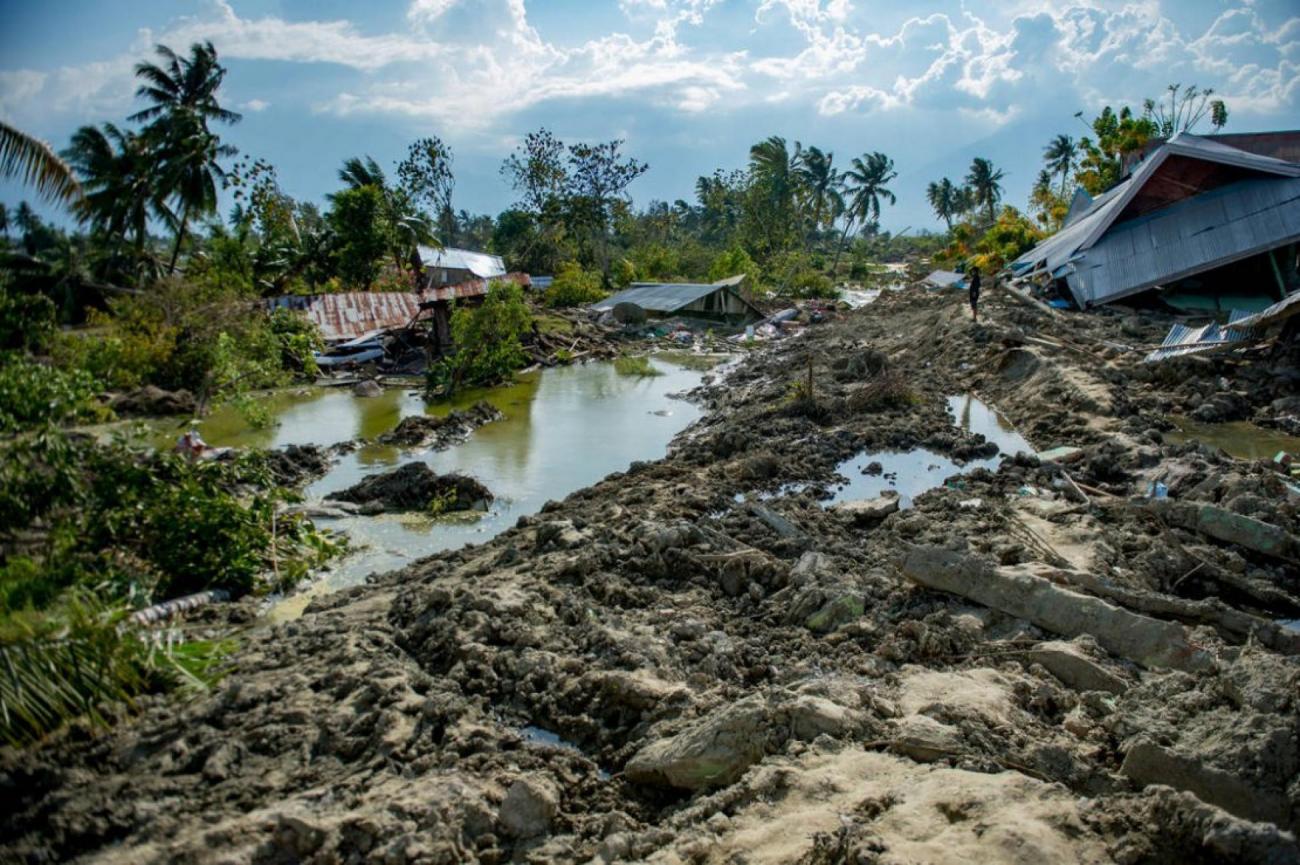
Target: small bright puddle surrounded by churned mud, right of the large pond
{"points": [[917, 472]]}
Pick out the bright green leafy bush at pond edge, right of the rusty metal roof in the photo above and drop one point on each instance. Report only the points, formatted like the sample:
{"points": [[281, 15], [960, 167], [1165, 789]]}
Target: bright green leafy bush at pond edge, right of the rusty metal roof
{"points": [[488, 341]]}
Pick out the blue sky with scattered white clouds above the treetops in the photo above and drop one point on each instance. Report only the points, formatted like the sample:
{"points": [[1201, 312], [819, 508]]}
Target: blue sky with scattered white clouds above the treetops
{"points": [[688, 85]]}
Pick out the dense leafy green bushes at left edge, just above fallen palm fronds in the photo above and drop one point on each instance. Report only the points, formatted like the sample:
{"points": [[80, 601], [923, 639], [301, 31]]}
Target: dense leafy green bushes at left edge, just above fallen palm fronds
{"points": [[137, 524]]}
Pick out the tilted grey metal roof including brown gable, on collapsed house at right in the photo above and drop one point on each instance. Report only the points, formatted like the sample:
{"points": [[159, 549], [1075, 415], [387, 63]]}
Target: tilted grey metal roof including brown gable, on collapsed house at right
{"points": [[1193, 206]]}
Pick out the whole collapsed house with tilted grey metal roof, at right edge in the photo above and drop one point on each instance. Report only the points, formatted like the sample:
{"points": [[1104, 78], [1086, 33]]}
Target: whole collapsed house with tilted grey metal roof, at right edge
{"points": [[1210, 226]]}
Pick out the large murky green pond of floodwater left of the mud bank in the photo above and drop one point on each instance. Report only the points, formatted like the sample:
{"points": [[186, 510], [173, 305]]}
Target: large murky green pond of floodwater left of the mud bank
{"points": [[565, 429]]}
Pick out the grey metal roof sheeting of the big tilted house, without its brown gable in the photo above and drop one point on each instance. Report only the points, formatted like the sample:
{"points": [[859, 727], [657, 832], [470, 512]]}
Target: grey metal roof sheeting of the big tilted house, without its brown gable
{"points": [[1063, 254]]}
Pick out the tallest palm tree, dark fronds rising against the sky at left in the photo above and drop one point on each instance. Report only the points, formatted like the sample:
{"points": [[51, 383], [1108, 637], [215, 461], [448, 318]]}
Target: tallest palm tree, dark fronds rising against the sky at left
{"points": [[183, 93]]}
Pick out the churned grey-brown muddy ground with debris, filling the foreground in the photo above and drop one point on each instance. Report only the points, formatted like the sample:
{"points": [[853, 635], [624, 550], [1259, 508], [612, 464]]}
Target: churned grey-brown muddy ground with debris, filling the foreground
{"points": [[699, 661]]}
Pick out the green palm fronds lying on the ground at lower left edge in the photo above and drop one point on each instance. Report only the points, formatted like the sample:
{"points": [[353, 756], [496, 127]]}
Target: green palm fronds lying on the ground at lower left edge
{"points": [[81, 658]]}
